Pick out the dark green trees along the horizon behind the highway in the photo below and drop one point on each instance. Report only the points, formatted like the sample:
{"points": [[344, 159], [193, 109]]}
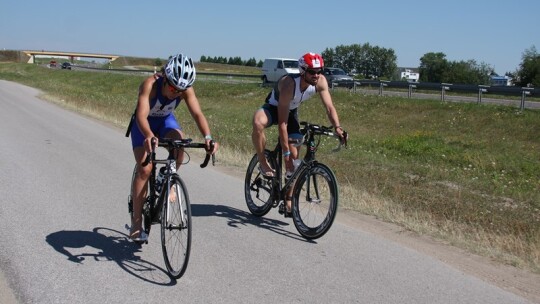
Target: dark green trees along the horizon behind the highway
{"points": [[373, 62]]}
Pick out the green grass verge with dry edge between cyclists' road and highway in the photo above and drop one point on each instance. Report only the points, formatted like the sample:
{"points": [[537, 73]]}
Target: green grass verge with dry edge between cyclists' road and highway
{"points": [[467, 174]]}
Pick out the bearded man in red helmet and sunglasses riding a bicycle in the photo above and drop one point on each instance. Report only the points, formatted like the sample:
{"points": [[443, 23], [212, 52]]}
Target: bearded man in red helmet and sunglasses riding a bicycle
{"points": [[281, 108]]}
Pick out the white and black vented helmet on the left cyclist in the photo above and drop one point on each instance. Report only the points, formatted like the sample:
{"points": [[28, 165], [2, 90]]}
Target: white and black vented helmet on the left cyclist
{"points": [[180, 71]]}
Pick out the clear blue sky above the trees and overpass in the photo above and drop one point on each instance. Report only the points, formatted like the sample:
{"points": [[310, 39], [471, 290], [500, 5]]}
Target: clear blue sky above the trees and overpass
{"points": [[495, 32]]}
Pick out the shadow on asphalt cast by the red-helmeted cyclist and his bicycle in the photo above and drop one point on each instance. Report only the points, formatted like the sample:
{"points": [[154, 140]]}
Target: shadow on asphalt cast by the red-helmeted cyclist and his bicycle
{"points": [[236, 218]]}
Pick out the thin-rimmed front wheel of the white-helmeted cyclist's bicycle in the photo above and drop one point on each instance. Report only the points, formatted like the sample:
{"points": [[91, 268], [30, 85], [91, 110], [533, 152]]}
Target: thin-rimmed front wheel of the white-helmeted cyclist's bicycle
{"points": [[176, 227]]}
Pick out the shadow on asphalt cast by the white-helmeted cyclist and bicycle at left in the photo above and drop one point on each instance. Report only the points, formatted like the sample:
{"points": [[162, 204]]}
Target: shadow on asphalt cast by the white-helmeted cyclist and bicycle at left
{"points": [[108, 245]]}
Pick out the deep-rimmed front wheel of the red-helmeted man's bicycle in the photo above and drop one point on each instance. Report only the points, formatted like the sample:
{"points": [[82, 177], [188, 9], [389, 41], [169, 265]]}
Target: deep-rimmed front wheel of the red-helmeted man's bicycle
{"points": [[315, 201]]}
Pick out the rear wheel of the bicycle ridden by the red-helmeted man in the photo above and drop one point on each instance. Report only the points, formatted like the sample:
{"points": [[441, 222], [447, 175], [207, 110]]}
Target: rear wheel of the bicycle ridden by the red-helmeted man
{"points": [[258, 189]]}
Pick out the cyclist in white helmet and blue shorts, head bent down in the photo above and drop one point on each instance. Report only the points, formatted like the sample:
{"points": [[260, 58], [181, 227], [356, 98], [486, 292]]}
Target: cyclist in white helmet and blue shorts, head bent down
{"points": [[159, 95]]}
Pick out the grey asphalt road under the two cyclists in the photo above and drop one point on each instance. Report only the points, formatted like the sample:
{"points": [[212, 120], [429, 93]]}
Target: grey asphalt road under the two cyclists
{"points": [[64, 182]]}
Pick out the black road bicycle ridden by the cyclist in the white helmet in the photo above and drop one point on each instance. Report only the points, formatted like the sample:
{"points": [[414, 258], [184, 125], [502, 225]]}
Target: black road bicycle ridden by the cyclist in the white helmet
{"points": [[167, 203]]}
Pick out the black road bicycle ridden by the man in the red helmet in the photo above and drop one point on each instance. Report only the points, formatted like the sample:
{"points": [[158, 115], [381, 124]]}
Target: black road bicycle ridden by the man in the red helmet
{"points": [[314, 185]]}
